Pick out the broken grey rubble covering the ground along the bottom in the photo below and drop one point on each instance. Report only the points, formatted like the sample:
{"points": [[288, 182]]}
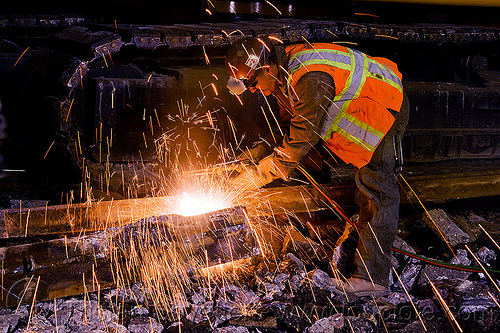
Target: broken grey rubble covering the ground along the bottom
{"points": [[292, 295]]}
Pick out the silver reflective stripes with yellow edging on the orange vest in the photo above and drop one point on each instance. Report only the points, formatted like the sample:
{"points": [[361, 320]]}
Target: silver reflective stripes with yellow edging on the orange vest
{"points": [[360, 68]]}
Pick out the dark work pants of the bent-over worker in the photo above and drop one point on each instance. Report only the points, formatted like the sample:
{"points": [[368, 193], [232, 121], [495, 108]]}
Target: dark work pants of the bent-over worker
{"points": [[378, 198]]}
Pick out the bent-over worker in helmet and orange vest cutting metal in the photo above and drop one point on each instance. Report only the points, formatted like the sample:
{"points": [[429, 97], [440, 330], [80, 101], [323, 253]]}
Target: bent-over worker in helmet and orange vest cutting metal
{"points": [[355, 105]]}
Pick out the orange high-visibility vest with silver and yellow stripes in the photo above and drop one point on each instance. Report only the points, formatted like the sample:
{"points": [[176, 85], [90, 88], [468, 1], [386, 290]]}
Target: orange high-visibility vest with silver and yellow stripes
{"points": [[366, 87]]}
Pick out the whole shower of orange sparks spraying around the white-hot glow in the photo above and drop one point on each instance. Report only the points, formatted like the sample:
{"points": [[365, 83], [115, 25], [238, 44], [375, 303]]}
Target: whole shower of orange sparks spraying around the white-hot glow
{"points": [[160, 258]]}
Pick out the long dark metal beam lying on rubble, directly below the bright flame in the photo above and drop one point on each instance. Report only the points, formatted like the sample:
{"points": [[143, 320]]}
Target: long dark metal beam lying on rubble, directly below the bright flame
{"points": [[72, 265]]}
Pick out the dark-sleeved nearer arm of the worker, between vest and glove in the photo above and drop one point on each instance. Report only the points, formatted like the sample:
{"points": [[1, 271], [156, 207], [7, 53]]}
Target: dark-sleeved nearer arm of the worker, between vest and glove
{"points": [[314, 93]]}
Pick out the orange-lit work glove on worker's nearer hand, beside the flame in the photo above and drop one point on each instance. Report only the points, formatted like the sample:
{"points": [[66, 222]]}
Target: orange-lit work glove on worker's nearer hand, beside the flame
{"points": [[254, 177]]}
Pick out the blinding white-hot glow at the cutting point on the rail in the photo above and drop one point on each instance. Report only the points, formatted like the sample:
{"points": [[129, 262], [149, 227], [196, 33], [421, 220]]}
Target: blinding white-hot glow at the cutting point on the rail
{"points": [[195, 204]]}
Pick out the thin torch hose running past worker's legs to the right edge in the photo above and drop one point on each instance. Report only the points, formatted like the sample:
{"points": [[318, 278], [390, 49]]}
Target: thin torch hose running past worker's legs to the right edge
{"points": [[338, 210]]}
